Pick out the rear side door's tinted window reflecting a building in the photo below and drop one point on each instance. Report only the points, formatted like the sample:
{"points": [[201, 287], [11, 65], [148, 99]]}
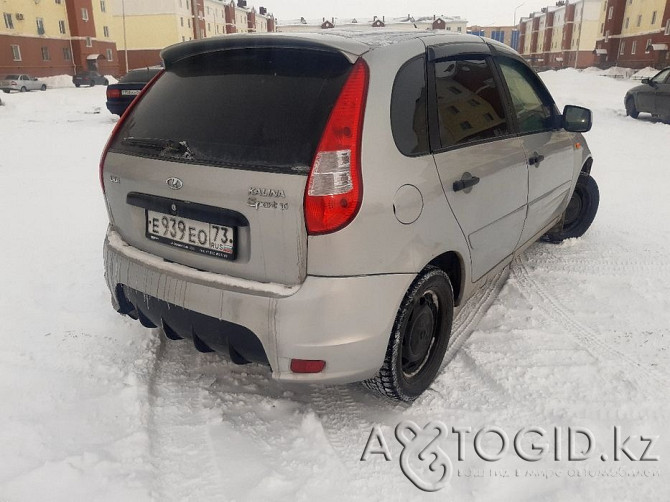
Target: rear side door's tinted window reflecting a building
{"points": [[469, 106]]}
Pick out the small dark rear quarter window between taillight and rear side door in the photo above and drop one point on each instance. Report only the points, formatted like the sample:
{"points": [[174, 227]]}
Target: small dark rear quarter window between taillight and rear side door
{"points": [[409, 120]]}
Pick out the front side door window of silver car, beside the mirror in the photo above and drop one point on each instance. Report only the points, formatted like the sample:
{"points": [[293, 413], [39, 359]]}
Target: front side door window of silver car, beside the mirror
{"points": [[532, 105]]}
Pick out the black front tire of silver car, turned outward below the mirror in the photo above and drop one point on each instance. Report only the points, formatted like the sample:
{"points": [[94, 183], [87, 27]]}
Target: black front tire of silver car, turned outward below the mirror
{"points": [[580, 212]]}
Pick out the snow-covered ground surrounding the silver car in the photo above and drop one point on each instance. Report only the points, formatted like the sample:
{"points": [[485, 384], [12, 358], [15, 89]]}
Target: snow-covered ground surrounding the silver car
{"points": [[95, 407]]}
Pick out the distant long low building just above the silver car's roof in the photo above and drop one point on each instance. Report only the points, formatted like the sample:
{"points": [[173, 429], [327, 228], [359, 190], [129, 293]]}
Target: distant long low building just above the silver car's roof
{"points": [[409, 23]]}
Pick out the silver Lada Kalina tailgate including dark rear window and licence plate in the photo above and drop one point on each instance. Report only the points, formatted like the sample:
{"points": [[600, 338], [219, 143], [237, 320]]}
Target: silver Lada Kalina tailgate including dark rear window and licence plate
{"points": [[209, 167]]}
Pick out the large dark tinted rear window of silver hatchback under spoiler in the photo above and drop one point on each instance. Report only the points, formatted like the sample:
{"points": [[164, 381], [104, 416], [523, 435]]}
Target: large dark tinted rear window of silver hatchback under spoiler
{"points": [[261, 109]]}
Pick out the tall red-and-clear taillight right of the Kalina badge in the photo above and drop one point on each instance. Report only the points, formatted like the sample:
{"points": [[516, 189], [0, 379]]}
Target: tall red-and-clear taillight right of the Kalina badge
{"points": [[334, 187]]}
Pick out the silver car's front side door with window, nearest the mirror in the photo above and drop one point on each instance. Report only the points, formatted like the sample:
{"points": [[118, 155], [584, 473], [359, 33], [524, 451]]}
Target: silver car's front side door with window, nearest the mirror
{"points": [[550, 151]]}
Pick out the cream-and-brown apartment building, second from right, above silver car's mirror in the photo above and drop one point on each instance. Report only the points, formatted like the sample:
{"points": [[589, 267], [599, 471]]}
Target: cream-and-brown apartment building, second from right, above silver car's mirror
{"points": [[561, 36]]}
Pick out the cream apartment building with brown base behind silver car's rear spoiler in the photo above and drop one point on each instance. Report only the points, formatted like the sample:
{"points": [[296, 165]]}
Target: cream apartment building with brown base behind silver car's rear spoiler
{"points": [[145, 27]]}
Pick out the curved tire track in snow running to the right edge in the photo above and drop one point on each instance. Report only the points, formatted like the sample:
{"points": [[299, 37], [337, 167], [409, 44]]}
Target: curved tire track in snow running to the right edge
{"points": [[647, 379]]}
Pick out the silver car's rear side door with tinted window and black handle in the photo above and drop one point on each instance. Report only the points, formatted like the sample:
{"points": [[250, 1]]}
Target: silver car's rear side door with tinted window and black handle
{"points": [[480, 162]]}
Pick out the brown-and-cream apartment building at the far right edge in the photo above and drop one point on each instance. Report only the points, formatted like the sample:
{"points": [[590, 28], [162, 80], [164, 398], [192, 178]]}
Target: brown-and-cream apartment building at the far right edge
{"points": [[634, 33]]}
